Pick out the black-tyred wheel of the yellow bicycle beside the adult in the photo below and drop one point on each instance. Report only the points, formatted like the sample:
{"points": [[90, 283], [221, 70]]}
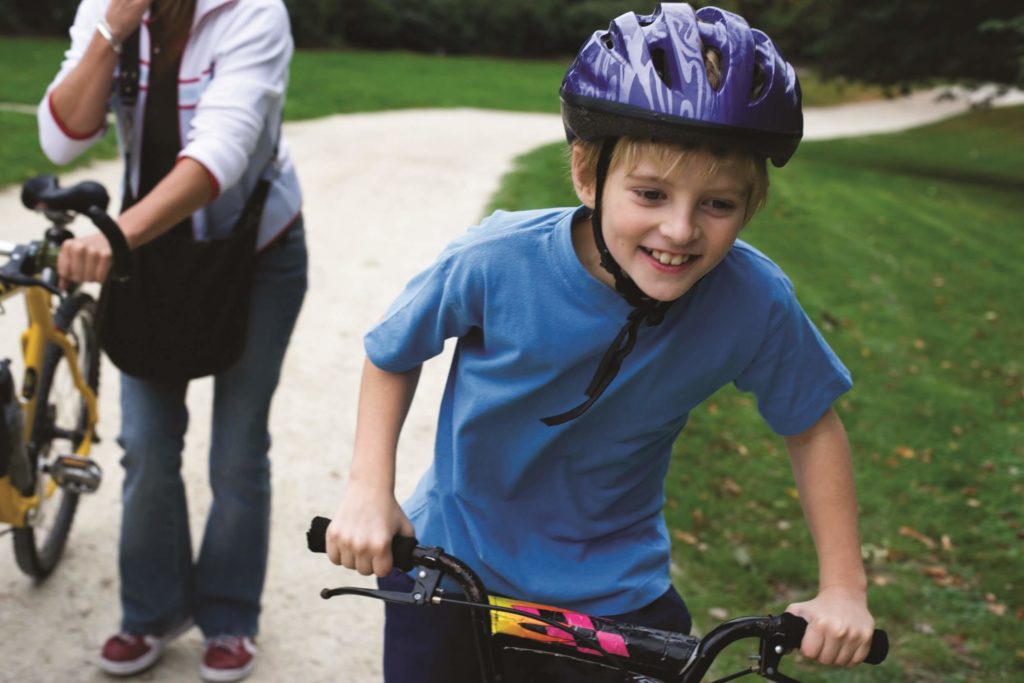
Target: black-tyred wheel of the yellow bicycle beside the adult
{"points": [[59, 430]]}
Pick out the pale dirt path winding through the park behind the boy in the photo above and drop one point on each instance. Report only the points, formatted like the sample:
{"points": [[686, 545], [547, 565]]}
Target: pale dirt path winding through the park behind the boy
{"points": [[383, 194]]}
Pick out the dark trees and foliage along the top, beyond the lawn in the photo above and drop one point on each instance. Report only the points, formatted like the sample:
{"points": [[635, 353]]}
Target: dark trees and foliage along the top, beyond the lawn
{"points": [[878, 41]]}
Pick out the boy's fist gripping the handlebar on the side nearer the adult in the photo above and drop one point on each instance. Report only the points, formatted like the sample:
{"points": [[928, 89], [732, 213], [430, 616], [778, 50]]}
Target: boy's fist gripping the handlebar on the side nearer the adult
{"points": [[361, 532]]}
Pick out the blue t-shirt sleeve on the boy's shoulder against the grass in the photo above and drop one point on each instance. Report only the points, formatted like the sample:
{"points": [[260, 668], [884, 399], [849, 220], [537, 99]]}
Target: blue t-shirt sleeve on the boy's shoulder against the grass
{"points": [[795, 374]]}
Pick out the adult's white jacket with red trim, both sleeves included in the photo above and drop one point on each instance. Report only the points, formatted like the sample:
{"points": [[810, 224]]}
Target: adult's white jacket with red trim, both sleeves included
{"points": [[232, 88]]}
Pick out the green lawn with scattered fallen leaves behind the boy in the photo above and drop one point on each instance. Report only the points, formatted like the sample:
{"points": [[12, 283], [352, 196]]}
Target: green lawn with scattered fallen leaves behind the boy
{"points": [[906, 250]]}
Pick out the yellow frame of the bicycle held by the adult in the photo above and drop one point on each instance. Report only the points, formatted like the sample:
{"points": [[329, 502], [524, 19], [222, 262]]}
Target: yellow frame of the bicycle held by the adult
{"points": [[41, 331]]}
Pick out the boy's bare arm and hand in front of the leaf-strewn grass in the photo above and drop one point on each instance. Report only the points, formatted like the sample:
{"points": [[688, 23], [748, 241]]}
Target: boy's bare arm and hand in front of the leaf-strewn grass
{"points": [[840, 626]]}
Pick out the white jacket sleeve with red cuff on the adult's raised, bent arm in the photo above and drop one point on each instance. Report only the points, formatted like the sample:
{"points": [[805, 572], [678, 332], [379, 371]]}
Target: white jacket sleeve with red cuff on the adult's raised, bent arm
{"points": [[60, 145]]}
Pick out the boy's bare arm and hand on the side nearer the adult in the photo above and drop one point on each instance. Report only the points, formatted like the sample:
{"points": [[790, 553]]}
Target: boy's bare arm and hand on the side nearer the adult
{"points": [[360, 535]]}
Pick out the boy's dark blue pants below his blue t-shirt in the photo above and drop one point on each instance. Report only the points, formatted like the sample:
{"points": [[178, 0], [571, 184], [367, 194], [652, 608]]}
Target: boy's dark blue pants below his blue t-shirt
{"points": [[436, 645]]}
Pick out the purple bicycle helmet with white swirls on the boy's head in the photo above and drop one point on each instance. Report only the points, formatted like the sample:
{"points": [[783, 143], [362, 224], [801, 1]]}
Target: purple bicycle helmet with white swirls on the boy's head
{"points": [[646, 78]]}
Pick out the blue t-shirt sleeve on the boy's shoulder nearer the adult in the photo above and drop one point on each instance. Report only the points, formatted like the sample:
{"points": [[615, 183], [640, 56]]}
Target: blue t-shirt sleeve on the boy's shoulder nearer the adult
{"points": [[435, 307]]}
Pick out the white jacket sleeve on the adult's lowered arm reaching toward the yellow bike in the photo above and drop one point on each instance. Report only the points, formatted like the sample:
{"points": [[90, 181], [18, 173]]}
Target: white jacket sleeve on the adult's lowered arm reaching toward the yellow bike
{"points": [[250, 77]]}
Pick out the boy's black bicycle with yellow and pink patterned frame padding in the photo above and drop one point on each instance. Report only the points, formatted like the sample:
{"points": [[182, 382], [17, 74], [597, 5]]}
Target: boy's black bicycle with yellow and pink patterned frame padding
{"points": [[510, 631]]}
